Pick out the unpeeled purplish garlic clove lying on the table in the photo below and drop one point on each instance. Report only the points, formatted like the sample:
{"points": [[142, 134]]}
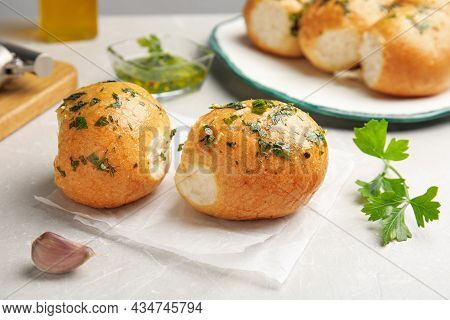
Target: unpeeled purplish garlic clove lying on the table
{"points": [[55, 254]]}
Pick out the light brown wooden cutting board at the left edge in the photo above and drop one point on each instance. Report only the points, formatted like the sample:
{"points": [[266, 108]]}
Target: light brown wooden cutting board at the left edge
{"points": [[24, 98]]}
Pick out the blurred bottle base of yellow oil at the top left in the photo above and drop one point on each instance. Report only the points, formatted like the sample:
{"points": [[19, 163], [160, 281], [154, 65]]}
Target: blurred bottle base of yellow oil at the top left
{"points": [[66, 20]]}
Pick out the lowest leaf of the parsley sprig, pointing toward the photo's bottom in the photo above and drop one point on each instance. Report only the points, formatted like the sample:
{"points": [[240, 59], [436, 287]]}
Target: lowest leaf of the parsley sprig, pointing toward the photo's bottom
{"points": [[394, 226]]}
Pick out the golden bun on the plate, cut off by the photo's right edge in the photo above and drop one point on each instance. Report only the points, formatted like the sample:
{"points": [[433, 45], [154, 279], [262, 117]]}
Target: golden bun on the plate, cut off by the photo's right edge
{"points": [[408, 52]]}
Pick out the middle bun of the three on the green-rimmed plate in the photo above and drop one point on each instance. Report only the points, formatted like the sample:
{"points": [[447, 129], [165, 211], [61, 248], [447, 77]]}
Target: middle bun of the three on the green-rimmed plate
{"points": [[331, 31]]}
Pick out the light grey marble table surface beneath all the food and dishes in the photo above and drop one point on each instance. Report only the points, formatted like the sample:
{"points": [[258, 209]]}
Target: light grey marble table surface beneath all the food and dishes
{"points": [[343, 260]]}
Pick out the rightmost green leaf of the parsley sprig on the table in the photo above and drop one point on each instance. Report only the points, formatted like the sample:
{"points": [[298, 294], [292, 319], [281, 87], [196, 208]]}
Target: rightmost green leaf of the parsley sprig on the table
{"points": [[424, 208]]}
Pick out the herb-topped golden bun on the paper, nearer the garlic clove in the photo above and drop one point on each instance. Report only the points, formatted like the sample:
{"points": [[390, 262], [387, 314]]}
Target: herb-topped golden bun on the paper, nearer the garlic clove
{"points": [[113, 144]]}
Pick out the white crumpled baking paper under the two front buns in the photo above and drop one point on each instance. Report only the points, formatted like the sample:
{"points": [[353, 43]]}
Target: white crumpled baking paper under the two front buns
{"points": [[165, 221]]}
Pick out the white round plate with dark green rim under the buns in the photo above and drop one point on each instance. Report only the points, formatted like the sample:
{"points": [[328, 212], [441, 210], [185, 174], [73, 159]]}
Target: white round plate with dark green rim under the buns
{"points": [[297, 81]]}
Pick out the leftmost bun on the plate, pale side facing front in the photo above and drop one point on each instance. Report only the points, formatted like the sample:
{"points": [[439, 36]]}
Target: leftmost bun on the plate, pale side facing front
{"points": [[272, 25]]}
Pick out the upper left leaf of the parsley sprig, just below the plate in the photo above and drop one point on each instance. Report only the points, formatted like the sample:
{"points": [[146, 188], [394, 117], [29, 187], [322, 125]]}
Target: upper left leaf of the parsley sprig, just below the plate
{"points": [[371, 139]]}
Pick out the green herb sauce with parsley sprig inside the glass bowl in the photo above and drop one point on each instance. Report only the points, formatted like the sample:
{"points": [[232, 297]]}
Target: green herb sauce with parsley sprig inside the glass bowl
{"points": [[161, 71]]}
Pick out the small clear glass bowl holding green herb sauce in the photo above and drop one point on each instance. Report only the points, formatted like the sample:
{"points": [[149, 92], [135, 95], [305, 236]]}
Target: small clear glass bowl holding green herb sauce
{"points": [[129, 59]]}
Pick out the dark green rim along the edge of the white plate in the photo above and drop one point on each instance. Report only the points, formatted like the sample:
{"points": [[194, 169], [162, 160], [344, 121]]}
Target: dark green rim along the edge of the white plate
{"points": [[327, 111]]}
